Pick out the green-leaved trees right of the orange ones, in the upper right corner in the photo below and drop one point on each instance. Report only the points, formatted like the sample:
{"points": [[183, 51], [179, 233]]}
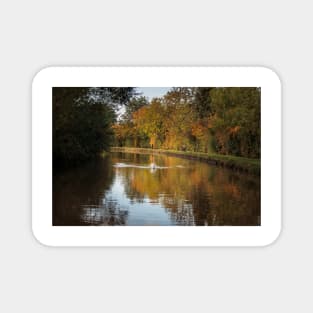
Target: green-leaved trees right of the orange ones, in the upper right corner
{"points": [[236, 120]]}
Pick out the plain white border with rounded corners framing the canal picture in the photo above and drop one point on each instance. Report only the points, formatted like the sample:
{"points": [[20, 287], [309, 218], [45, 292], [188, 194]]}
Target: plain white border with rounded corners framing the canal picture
{"points": [[156, 235]]}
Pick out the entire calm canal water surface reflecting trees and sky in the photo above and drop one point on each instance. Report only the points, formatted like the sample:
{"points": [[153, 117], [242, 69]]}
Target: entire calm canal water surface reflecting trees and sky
{"points": [[123, 189]]}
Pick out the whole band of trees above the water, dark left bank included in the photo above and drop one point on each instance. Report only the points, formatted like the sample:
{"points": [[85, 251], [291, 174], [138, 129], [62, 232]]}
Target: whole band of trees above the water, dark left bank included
{"points": [[87, 121]]}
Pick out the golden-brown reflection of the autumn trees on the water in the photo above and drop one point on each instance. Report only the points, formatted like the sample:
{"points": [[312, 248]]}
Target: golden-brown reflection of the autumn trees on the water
{"points": [[197, 194]]}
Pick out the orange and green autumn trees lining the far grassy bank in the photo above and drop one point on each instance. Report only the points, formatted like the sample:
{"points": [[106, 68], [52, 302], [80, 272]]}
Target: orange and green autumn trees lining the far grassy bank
{"points": [[221, 120]]}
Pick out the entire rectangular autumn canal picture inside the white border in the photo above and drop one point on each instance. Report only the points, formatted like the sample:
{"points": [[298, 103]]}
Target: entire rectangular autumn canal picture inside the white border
{"points": [[156, 156]]}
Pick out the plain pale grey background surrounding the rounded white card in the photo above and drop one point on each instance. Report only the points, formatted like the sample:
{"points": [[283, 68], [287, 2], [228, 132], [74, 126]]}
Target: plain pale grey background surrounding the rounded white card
{"points": [[35, 34]]}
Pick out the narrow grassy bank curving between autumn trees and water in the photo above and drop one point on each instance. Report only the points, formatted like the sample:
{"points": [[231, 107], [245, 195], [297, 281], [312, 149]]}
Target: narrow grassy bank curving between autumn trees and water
{"points": [[251, 166]]}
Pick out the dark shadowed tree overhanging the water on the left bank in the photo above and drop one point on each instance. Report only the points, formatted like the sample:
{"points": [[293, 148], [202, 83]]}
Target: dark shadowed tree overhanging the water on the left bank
{"points": [[82, 121]]}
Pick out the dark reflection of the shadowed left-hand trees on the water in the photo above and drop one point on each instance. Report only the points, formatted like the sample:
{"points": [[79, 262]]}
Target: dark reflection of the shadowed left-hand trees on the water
{"points": [[86, 185]]}
